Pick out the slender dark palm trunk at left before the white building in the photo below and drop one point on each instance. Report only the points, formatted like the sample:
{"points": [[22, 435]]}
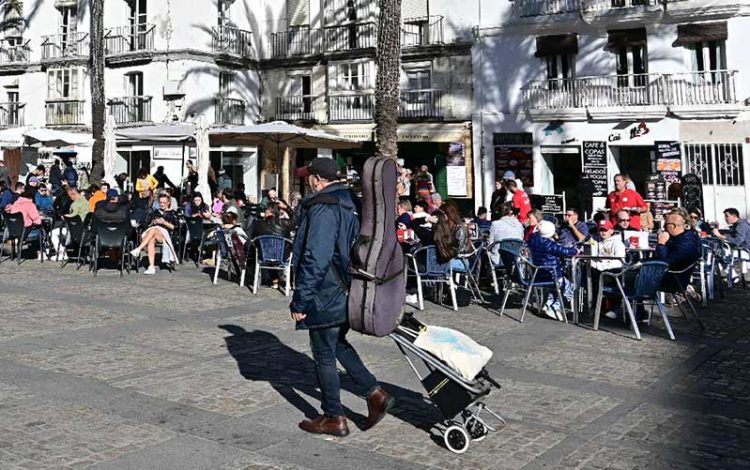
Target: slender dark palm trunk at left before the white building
{"points": [[96, 68]]}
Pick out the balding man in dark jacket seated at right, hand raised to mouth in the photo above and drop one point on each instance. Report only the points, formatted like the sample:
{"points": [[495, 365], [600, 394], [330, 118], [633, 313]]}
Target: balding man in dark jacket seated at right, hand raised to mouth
{"points": [[680, 247]]}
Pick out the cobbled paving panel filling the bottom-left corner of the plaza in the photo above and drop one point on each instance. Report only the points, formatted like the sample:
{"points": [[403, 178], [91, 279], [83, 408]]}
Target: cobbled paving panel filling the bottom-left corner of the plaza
{"points": [[55, 436]]}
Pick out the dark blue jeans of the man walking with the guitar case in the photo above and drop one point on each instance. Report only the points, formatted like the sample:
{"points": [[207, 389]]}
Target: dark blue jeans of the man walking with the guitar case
{"points": [[329, 344]]}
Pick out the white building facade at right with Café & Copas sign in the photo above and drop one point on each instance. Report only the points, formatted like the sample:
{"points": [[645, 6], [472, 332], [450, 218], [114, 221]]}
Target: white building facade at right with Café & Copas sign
{"points": [[569, 93]]}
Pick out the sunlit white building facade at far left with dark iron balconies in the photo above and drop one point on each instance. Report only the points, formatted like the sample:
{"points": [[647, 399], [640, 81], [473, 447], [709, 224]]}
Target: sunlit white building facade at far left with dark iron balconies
{"points": [[165, 63]]}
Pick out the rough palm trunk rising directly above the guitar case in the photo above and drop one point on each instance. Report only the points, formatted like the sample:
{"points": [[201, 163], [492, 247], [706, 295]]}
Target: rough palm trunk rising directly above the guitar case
{"points": [[388, 79]]}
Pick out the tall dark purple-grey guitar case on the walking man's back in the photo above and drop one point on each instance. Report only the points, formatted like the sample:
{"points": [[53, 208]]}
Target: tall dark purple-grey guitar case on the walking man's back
{"points": [[378, 287]]}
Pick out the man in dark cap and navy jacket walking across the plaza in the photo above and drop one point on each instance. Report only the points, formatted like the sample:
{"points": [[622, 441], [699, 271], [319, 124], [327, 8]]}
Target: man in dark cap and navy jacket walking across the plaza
{"points": [[328, 226]]}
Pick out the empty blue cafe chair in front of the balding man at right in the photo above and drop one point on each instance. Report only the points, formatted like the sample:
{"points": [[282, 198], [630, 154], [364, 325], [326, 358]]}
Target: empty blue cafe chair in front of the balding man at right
{"points": [[644, 289]]}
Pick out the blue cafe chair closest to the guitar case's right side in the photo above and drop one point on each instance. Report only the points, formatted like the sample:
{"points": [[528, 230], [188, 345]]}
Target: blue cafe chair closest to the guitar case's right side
{"points": [[424, 264]]}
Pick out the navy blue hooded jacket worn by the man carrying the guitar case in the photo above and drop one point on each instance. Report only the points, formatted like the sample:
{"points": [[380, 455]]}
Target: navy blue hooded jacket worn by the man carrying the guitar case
{"points": [[328, 227]]}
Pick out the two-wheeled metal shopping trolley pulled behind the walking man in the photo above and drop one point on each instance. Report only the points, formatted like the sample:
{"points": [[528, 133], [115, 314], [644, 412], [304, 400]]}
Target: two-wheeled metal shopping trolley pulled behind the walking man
{"points": [[456, 397]]}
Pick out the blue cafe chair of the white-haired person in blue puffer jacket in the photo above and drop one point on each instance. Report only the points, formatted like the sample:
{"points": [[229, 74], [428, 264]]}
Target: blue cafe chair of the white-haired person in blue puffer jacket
{"points": [[523, 279]]}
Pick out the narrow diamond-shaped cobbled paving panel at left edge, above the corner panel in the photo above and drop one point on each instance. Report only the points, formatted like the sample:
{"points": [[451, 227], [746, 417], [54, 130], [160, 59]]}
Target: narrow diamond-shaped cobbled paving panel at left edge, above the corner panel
{"points": [[98, 360]]}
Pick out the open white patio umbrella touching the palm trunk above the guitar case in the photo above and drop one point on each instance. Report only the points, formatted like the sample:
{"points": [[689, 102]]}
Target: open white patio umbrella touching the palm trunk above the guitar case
{"points": [[282, 134]]}
